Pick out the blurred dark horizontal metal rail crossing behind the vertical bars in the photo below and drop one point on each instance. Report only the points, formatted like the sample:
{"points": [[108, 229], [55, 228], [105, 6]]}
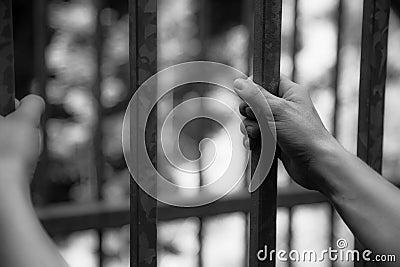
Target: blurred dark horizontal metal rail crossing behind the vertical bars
{"points": [[67, 218]]}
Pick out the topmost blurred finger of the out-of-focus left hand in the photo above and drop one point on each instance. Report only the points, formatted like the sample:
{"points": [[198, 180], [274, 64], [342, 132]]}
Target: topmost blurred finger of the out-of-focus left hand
{"points": [[30, 109]]}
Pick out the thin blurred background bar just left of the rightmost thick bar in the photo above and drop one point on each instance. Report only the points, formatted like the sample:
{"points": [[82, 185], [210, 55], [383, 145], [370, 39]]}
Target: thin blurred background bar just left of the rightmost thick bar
{"points": [[336, 80]]}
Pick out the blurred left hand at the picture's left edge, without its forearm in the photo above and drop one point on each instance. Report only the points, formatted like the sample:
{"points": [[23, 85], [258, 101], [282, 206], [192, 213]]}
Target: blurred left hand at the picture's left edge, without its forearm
{"points": [[20, 138]]}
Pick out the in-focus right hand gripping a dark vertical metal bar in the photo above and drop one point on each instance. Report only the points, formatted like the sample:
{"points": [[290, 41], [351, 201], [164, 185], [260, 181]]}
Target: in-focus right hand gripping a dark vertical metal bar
{"points": [[301, 135]]}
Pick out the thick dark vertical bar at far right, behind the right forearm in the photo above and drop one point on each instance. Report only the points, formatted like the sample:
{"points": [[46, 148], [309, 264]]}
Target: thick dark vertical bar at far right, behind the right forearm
{"points": [[374, 43]]}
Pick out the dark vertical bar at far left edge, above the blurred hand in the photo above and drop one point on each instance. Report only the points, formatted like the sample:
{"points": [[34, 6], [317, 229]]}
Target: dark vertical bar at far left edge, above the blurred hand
{"points": [[7, 90]]}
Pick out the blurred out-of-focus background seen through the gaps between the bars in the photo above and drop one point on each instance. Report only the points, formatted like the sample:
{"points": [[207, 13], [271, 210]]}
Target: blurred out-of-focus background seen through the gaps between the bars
{"points": [[75, 54]]}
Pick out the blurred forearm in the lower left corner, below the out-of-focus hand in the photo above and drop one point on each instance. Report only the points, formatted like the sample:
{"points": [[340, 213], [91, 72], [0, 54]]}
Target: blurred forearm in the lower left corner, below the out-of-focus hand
{"points": [[24, 242]]}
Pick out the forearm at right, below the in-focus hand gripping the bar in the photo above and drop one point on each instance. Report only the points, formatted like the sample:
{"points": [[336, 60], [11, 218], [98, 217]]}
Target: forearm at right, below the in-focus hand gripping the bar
{"points": [[366, 201]]}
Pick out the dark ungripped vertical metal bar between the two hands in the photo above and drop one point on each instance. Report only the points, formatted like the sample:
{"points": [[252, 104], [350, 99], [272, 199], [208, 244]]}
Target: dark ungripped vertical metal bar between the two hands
{"points": [[143, 64]]}
